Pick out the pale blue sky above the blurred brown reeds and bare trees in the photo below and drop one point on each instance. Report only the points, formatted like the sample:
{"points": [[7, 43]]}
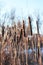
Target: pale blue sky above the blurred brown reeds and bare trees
{"points": [[23, 8]]}
